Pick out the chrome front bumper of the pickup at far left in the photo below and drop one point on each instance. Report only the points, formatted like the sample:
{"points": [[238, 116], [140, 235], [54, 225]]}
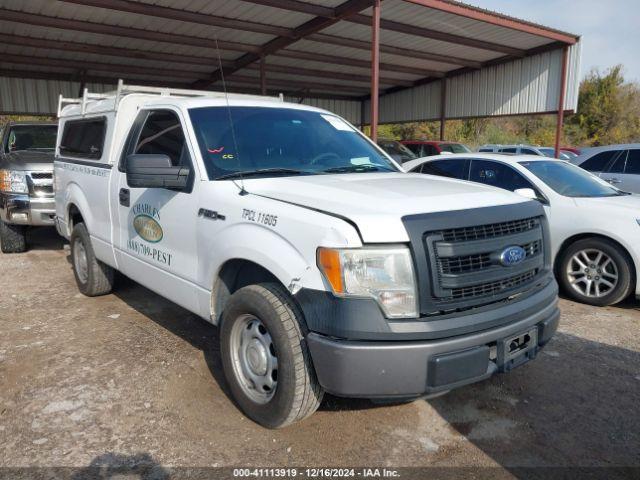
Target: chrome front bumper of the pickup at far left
{"points": [[21, 209]]}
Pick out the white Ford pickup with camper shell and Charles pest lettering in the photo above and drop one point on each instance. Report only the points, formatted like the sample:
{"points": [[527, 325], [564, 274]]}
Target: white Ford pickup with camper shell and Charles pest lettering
{"points": [[325, 267]]}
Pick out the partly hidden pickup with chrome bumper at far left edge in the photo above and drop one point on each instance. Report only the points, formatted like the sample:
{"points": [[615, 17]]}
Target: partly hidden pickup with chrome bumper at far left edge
{"points": [[26, 185]]}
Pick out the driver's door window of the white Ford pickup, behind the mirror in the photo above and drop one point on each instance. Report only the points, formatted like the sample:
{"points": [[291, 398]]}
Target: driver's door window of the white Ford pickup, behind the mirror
{"points": [[162, 134]]}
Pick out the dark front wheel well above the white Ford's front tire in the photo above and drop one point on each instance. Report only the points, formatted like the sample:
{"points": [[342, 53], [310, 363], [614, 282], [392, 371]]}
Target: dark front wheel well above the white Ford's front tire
{"points": [[234, 275]]}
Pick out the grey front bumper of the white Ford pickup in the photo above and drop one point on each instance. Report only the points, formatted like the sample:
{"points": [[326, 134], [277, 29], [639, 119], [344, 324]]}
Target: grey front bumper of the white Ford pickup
{"points": [[410, 369]]}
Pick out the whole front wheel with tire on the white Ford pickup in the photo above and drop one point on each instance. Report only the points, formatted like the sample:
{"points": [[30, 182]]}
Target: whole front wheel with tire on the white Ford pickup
{"points": [[265, 356]]}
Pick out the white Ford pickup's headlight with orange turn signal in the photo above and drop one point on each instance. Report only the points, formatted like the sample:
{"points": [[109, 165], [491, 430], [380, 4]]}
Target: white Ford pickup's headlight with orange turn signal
{"points": [[382, 273]]}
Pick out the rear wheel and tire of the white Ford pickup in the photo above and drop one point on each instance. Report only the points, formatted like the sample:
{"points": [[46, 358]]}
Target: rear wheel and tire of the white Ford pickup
{"points": [[93, 277]]}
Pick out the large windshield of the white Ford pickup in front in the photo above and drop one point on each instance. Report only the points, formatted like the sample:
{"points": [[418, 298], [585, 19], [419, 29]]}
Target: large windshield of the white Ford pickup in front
{"points": [[281, 141]]}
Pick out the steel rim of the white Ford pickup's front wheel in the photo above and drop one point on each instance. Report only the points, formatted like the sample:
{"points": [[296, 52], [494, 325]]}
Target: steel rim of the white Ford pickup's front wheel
{"points": [[254, 359]]}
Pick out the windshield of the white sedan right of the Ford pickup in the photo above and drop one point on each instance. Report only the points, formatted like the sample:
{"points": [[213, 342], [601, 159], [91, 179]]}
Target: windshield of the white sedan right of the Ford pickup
{"points": [[569, 180]]}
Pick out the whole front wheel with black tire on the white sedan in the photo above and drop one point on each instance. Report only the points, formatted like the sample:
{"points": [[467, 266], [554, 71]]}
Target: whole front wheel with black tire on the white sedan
{"points": [[596, 271]]}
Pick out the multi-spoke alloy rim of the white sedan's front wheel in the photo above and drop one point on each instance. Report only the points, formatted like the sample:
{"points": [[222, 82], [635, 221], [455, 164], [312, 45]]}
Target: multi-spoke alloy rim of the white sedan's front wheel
{"points": [[592, 273]]}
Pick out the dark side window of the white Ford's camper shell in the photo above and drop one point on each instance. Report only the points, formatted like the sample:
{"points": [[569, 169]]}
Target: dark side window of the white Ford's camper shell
{"points": [[83, 138]]}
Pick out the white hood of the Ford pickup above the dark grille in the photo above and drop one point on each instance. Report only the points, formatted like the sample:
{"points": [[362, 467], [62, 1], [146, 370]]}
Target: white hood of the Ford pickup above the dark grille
{"points": [[376, 202]]}
